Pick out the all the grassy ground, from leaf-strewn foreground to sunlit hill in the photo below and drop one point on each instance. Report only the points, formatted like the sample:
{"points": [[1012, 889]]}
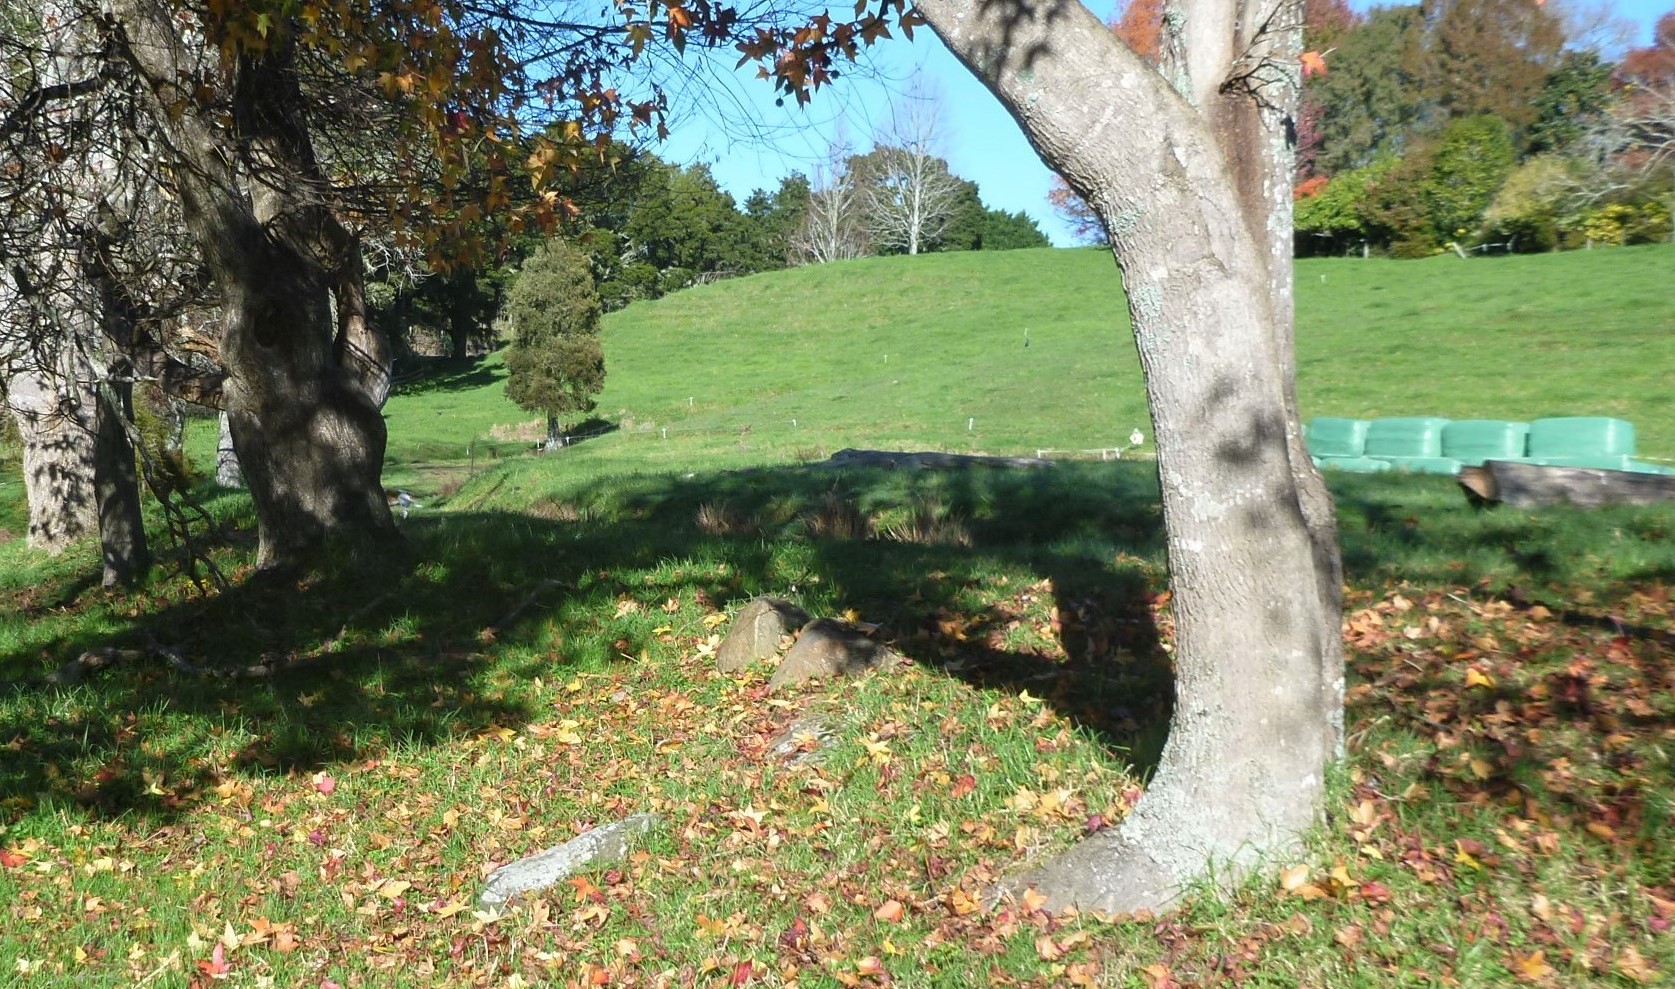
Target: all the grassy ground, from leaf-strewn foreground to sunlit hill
{"points": [[540, 660]]}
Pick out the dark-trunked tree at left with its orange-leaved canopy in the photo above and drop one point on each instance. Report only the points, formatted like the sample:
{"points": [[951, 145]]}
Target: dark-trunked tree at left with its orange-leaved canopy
{"points": [[281, 137]]}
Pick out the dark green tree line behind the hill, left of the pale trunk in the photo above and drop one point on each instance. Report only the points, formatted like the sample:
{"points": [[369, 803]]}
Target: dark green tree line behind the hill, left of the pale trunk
{"points": [[654, 227]]}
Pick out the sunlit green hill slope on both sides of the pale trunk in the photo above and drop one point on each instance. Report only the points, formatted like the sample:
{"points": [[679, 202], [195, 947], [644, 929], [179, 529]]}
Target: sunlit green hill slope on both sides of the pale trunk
{"points": [[930, 353]]}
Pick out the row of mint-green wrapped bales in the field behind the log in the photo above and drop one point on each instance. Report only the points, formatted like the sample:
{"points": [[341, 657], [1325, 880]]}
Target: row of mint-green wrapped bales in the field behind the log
{"points": [[1441, 447]]}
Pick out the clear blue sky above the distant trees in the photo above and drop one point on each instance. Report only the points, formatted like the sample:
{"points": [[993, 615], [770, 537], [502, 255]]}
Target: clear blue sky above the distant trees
{"points": [[731, 122]]}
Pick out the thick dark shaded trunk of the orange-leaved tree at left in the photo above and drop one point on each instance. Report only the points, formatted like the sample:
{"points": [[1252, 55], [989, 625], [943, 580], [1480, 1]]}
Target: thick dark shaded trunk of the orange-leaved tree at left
{"points": [[304, 386]]}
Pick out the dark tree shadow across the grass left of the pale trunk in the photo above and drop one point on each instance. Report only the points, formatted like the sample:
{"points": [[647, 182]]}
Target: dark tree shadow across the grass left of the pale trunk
{"points": [[436, 643]]}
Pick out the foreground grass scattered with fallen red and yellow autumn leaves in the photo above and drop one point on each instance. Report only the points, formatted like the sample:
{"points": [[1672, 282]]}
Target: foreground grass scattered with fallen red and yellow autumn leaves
{"points": [[1503, 816]]}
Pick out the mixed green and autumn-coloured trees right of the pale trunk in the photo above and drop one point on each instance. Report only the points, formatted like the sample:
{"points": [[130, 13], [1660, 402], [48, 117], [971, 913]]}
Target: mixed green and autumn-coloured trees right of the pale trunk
{"points": [[1468, 125]]}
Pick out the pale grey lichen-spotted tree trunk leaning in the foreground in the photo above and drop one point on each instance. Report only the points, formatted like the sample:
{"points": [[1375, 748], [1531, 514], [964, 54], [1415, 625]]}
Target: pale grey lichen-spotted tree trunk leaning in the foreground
{"points": [[1190, 180]]}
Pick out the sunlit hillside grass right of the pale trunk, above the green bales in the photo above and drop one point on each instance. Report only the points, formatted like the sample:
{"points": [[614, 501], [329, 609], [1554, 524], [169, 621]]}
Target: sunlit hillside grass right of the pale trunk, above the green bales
{"points": [[1517, 338]]}
